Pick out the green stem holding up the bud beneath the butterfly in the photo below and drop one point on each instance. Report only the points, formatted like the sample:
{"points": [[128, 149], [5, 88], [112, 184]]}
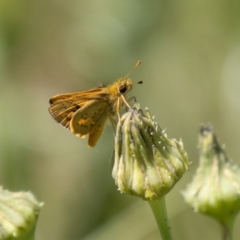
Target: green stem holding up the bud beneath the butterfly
{"points": [[160, 213]]}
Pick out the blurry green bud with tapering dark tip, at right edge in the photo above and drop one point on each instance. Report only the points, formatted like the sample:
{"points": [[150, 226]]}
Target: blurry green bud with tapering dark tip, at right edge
{"points": [[215, 189]]}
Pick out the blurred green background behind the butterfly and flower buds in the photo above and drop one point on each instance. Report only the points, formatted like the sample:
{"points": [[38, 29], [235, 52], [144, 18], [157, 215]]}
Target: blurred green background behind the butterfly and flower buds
{"points": [[190, 52]]}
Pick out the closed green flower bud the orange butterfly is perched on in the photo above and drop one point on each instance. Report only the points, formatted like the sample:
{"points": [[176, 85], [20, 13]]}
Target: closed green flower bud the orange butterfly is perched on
{"points": [[146, 163]]}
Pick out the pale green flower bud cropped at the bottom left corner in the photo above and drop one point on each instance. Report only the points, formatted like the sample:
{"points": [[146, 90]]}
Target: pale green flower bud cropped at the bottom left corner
{"points": [[18, 215]]}
